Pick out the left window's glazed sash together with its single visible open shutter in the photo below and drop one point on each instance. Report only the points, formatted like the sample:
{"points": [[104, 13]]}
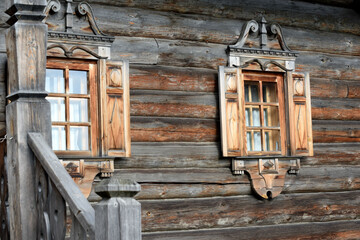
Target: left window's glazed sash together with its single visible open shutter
{"points": [[83, 107]]}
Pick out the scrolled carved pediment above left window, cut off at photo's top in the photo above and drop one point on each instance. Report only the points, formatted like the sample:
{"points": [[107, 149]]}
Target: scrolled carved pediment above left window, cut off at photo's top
{"points": [[73, 31]]}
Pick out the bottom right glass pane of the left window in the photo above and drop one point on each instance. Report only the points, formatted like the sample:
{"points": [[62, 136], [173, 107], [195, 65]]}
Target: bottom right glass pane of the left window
{"points": [[79, 138]]}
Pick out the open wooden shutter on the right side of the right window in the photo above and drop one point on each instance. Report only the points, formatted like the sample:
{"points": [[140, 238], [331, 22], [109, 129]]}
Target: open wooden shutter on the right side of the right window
{"points": [[301, 141]]}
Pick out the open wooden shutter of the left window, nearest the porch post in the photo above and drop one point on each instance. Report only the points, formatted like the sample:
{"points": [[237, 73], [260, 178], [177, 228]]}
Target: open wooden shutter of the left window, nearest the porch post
{"points": [[115, 108]]}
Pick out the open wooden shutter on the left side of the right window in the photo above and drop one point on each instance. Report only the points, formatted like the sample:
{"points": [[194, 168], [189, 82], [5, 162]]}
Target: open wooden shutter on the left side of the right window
{"points": [[232, 112]]}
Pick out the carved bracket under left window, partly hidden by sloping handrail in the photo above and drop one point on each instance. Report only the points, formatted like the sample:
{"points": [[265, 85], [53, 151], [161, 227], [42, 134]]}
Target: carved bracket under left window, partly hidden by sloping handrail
{"points": [[84, 173]]}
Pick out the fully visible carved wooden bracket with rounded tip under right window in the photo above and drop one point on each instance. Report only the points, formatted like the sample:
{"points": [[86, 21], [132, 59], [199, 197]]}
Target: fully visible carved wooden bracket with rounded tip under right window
{"points": [[267, 175]]}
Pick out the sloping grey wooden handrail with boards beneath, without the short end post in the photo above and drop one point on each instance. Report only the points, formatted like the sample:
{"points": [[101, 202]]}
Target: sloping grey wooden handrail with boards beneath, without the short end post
{"points": [[55, 189]]}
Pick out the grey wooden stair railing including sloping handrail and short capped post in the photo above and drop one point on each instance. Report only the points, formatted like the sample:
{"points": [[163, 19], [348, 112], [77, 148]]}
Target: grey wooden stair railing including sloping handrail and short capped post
{"points": [[117, 216]]}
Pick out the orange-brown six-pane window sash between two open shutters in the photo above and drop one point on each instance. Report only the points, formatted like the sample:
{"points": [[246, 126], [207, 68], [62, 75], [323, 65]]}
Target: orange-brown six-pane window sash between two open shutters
{"points": [[264, 107]]}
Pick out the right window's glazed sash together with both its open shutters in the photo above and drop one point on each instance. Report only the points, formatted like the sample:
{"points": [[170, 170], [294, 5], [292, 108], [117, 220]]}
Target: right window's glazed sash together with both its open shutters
{"points": [[254, 113]]}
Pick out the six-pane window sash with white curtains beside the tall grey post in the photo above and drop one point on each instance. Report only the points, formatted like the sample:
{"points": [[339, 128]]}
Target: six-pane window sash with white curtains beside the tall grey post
{"points": [[72, 89]]}
